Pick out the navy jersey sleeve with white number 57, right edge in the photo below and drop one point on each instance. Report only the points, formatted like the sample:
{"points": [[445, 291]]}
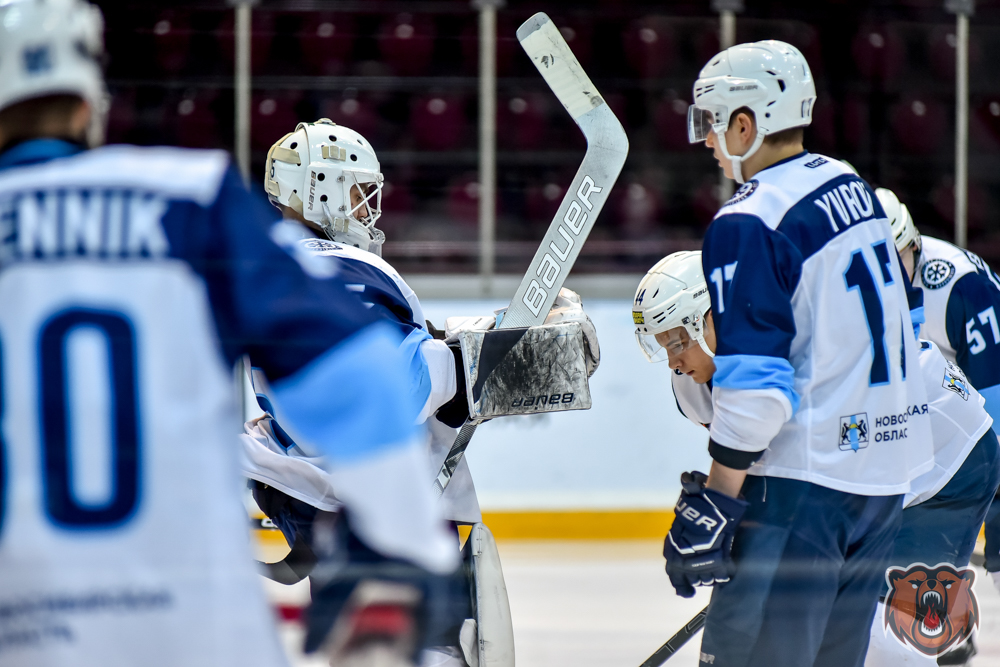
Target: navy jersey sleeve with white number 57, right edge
{"points": [[974, 334]]}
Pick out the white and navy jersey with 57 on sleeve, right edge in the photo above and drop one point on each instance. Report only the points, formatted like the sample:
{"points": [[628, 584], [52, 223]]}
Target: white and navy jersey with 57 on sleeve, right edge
{"points": [[961, 306]]}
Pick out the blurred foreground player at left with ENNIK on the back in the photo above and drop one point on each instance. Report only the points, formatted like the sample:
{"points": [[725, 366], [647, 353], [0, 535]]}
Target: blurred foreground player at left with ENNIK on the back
{"points": [[131, 280]]}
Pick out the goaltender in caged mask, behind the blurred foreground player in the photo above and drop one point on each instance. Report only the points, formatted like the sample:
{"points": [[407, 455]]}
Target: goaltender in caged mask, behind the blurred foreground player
{"points": [[326, 180]]}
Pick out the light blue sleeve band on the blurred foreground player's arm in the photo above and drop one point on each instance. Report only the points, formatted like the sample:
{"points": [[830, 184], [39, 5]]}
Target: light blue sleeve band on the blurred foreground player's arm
{"points": [[354, 402]]}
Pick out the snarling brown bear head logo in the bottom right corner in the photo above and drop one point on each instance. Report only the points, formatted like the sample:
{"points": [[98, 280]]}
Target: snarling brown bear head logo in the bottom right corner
{"points": [[931, 609]]}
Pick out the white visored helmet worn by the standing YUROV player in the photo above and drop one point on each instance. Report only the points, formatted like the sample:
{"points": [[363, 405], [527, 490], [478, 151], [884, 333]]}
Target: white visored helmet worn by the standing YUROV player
{"points": [[770, 78]]}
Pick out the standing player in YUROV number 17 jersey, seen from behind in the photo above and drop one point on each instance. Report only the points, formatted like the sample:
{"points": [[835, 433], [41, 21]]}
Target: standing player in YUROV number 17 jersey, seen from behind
{"points": [[813, 351]]}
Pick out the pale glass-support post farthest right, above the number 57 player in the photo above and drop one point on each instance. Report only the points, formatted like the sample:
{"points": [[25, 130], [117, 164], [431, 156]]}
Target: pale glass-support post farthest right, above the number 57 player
{"points": [[962, 9]]}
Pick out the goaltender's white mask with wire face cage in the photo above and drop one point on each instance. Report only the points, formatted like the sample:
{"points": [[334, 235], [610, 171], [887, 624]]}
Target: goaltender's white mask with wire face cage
{"points": [[312, 171]]}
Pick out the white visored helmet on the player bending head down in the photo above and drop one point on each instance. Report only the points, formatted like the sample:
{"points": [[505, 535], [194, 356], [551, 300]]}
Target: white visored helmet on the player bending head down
{"points": [[672, 294]]}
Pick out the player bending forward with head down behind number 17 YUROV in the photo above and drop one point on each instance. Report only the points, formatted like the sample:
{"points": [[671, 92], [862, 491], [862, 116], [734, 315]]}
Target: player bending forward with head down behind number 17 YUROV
{"points": [[944, 507]]}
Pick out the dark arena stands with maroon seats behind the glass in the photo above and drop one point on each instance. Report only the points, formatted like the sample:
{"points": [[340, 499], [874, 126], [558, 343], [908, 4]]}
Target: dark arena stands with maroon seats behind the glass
{"points": [[404, 75]]}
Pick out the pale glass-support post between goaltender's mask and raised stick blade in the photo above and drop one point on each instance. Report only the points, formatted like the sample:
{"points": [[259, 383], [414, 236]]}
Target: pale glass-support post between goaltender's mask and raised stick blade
{"points": [[487, 139]]}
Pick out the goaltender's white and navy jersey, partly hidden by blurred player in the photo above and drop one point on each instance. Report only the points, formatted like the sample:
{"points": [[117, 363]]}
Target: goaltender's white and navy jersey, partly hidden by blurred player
{"points": [[273, 458]]}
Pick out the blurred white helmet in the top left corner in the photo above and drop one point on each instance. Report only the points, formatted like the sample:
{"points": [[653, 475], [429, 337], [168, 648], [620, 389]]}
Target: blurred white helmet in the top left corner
{"points": [[53, 47]]}
